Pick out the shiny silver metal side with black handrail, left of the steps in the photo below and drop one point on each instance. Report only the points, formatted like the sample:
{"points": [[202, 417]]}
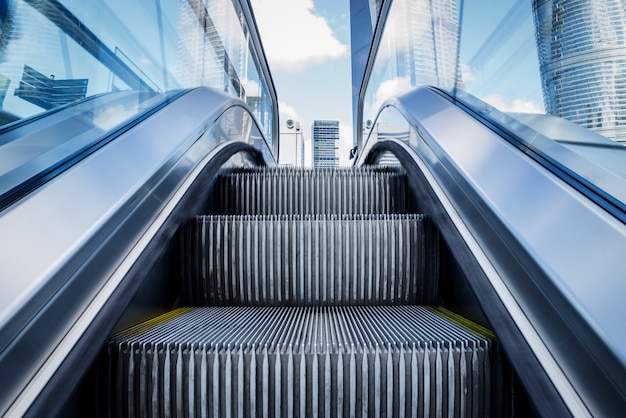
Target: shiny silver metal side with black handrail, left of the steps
{"points": [[61, 244]]}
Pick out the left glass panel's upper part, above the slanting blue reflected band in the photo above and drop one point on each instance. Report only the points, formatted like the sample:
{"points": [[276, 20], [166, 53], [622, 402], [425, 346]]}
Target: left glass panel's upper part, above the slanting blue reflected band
{"points": [[53, 53]]}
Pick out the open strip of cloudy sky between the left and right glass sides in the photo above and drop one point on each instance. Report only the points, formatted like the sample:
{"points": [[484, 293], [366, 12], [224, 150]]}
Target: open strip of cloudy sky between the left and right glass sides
{"points": [[307, 44]]}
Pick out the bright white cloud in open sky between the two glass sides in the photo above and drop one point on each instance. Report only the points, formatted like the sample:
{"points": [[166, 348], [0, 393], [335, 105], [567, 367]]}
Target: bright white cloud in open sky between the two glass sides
{"points": [[292, 36]]}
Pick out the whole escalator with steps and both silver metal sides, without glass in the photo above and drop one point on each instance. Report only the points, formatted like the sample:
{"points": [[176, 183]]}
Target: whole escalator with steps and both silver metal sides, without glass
{"points": [[196, 278]]}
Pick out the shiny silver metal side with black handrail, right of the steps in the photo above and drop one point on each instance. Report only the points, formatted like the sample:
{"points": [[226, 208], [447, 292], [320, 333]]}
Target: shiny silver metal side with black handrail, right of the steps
{"points": [[547, 258]]}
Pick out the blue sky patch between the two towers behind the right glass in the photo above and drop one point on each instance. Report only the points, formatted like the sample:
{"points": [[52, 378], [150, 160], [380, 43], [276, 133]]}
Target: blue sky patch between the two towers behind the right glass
{"points": [[498, 55]]}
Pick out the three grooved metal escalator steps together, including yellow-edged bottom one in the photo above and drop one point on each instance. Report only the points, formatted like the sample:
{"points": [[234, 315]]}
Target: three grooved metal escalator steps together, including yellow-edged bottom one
{"points": [[307, 293]]}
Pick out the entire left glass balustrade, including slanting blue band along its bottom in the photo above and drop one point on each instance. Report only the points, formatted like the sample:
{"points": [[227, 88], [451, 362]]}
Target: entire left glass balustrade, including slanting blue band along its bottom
{"points": [[72, 72]]}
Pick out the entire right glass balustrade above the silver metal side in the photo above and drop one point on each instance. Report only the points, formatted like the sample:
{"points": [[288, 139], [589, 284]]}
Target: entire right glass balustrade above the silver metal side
{"points": [[552, 72]]}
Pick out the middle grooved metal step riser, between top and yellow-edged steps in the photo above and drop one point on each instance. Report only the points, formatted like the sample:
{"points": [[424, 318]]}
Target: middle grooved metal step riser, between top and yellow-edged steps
{"points": [[310, 260]]}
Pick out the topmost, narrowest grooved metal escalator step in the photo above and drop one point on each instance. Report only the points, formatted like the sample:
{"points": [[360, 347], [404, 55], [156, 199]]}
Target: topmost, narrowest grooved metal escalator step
{"points": [[285, 190]]}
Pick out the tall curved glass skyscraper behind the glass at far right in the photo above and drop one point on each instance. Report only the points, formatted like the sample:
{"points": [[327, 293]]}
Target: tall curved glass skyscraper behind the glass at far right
{"points": [[582, 45]]}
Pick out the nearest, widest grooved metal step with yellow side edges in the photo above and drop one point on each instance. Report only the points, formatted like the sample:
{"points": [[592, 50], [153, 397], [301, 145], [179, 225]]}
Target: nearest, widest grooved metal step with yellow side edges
{"points": [[297, 361]]}
